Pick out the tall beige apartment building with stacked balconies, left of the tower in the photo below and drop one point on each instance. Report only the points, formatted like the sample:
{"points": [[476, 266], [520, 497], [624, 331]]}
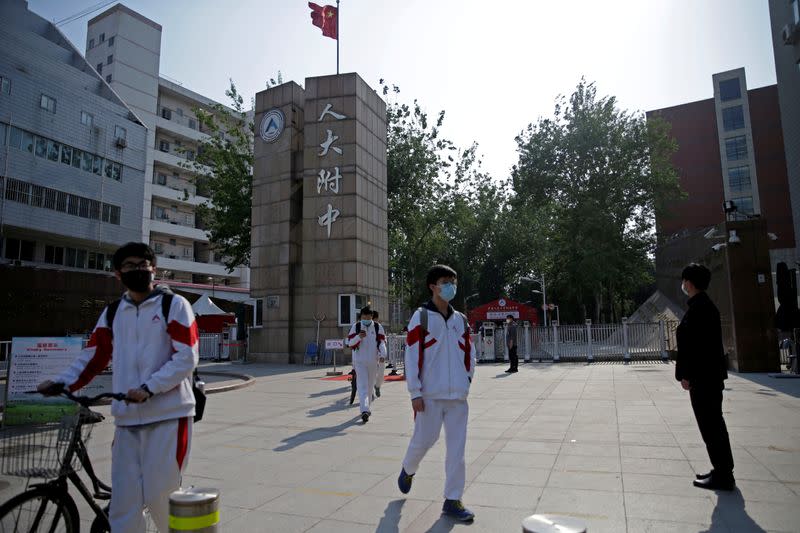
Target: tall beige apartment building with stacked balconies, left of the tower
{"points": [[125, 48]]}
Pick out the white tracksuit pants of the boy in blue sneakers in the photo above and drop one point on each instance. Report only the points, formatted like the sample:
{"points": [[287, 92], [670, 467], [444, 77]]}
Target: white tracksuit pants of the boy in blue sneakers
{"points": [[453, 415]]}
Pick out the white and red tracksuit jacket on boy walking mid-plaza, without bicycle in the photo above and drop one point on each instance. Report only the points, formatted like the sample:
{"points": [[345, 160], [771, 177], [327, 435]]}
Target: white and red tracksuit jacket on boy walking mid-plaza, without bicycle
{"points": [[444, 370]]}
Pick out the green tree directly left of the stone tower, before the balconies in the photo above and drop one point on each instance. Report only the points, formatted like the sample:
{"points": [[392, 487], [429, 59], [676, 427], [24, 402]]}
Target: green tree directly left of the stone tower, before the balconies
{"points": [[224, 173]]}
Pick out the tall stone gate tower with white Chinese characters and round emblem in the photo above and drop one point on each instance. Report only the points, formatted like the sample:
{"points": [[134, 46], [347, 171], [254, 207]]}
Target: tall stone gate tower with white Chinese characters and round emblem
{"points": [[319, 227]]}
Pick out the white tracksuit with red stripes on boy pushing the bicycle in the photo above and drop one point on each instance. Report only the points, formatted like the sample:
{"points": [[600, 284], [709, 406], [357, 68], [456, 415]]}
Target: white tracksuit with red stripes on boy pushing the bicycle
{"points": [[152, 439]]}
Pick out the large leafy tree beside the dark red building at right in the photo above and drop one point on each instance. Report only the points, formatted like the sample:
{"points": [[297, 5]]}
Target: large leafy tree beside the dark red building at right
{"points": [[593, 177]]}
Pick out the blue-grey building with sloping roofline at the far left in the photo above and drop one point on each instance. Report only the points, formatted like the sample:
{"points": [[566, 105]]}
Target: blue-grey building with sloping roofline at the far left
{"points": [[72, 153]]}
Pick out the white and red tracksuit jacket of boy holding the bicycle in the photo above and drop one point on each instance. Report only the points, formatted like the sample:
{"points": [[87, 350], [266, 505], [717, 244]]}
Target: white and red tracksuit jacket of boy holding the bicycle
{"points": [[144, 351]]}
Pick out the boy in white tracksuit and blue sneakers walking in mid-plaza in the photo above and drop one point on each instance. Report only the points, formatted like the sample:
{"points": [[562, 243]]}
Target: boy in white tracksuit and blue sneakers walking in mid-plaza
{"points": [[439, 363]]}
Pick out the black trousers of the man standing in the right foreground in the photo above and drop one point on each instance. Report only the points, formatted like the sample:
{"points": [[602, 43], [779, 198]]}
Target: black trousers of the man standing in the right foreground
{"points": [[707, 406]]}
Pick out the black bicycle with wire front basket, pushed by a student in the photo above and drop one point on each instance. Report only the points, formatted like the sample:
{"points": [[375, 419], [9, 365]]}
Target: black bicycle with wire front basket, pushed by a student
{"points": [[50, 451]]}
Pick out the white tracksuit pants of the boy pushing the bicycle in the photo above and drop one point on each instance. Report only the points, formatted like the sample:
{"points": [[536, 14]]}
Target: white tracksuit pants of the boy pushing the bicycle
{"points": [[146, 466]]}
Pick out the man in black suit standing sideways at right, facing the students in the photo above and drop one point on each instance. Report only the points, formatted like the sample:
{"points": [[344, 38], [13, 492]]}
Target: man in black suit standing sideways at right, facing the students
{"points": [[701, 368]]}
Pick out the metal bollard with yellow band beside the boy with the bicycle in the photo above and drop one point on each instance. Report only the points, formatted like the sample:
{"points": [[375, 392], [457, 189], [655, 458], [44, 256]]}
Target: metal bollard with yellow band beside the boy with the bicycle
{"points": [[194, 509]]}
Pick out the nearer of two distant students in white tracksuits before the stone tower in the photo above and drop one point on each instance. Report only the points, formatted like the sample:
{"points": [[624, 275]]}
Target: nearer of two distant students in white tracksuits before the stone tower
{"points": [[368, 342]]}
